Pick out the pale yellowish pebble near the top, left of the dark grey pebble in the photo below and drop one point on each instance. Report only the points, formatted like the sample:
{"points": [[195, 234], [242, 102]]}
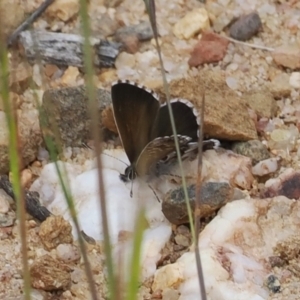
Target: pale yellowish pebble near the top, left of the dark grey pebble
{"points": [[191, 24]]}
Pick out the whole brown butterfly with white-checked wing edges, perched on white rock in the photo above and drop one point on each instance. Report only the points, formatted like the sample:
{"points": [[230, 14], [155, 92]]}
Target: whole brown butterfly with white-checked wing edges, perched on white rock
{"points": [[145, 129]]}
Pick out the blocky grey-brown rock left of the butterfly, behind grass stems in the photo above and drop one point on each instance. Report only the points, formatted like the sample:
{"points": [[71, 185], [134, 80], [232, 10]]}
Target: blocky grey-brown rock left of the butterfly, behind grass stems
{"points": [[67, 118]]}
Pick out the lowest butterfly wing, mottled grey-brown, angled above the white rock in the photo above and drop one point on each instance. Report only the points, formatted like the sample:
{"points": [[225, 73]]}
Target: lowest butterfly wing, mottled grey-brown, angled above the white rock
{"points": [[155, 151]]}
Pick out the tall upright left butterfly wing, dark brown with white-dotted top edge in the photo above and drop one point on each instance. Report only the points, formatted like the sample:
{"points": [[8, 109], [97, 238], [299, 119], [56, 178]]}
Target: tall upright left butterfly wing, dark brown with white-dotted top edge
{"points": [[135, 109]]}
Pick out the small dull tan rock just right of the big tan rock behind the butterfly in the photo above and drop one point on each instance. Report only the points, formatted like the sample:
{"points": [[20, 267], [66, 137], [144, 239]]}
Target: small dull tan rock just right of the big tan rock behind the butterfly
{"points": [[262, 102]]}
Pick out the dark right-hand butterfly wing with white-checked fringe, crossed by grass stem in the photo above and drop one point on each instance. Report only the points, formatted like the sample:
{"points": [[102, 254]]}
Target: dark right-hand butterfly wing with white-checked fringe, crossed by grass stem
{"points": [[186, 119]]}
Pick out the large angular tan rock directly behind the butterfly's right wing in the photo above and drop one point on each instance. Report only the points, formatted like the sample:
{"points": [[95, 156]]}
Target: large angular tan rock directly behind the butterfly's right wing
{"points": [[226, 114]]}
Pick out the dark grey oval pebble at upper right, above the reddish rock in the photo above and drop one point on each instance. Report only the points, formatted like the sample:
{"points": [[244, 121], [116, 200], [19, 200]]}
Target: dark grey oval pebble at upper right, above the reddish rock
{"points": [[245, 27]]}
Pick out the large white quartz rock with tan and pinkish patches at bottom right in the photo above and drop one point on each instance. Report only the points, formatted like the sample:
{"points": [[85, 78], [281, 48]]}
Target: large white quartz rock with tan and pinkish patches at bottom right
{"points": [[235, 247]]}
